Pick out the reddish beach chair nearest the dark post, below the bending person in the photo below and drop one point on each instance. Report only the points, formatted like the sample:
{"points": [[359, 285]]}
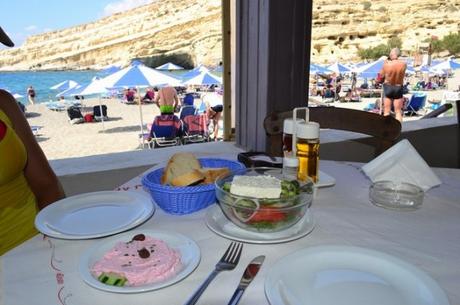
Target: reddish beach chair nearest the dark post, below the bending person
{"points": [[195, 128]]}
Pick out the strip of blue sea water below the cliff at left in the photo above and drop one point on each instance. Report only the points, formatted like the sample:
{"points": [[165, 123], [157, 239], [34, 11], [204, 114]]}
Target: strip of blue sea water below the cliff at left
{"points": [[18, 82]]}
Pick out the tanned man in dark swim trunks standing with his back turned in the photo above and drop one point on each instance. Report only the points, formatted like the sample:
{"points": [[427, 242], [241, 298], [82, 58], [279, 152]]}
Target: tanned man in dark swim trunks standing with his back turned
{"points": [[393, 72]]}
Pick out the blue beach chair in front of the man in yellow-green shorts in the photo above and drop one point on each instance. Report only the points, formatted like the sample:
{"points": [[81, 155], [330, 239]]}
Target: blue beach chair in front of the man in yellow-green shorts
{"points": [[165, 131]]}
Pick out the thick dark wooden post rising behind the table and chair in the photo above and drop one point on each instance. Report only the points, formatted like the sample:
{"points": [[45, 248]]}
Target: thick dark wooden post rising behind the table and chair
{"points": [[273, 41]]}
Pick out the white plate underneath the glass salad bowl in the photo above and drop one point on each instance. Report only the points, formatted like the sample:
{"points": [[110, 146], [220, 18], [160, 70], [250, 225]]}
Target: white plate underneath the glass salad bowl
{"points": [[217, 222]]}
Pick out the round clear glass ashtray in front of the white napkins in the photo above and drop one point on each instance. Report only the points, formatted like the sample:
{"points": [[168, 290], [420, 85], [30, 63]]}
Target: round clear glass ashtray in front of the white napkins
{"points": [[396, 195]]}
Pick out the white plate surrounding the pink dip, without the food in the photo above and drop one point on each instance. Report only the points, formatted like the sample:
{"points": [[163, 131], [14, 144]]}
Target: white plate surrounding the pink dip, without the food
{"points": [[188, 249]]}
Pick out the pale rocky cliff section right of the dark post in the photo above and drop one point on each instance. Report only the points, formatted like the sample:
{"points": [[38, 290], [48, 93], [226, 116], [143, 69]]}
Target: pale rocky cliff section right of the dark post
{"points": [[342, 27]]}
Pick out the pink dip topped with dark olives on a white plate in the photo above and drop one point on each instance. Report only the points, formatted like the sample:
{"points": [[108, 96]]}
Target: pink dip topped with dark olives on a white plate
{"points": [[140, 261]]}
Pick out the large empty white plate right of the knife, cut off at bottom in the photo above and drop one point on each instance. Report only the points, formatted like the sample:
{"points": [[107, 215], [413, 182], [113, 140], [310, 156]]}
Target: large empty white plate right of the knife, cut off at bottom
{"points": [[331, 275]]}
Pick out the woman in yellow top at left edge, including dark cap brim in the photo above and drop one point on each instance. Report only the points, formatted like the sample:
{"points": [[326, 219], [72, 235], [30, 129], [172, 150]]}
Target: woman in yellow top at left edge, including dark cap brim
{"points": [[27, 182]]}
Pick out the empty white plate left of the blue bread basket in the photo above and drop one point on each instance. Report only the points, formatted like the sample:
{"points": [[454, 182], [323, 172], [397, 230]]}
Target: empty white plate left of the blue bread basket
{"points": [[93, 215]]}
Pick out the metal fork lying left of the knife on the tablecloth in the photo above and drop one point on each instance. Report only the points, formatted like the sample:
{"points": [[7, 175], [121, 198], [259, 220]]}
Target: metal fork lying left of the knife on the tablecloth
{"points": [[228, 261]]}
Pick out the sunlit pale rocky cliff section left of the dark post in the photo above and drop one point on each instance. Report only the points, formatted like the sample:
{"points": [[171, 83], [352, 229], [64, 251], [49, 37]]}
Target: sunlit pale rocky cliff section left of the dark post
{"points": [[162, 28]]}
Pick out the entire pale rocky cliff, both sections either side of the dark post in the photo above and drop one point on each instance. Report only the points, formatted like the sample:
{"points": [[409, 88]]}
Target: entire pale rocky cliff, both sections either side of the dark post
{"points": [[191, 30]]}
